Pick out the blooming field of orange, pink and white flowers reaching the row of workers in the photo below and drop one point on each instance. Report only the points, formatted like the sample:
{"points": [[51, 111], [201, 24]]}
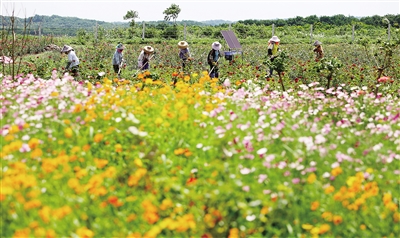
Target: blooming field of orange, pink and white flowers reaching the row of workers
{"points": [[202, 157]]}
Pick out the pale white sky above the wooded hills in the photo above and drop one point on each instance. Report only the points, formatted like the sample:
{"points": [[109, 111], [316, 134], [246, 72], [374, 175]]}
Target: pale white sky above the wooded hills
{"points": [[229, 10]]}
